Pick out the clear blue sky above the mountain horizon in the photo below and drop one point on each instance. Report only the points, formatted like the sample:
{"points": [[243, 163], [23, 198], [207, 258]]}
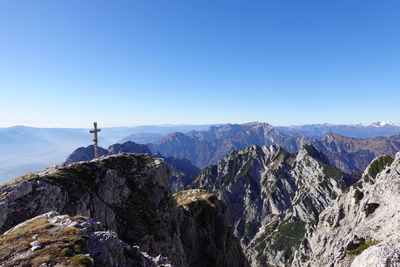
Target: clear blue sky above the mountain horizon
{"points": [[67, 63]]}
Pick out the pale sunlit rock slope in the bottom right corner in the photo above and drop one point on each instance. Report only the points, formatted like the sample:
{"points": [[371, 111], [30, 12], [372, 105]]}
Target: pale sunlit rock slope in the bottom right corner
{"points": [[361, 228]]}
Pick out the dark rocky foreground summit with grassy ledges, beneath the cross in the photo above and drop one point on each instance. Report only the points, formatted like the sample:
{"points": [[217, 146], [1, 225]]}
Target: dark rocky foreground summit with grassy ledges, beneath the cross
{"points": [[113, 211]]}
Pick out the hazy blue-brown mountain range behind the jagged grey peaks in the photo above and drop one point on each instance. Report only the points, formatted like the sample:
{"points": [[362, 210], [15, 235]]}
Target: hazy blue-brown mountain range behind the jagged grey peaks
{"points": [[206, 147]]}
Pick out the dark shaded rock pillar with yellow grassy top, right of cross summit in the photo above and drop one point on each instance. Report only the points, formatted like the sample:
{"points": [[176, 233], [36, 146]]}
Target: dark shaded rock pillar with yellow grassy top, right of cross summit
{"points": [[204, 222]]}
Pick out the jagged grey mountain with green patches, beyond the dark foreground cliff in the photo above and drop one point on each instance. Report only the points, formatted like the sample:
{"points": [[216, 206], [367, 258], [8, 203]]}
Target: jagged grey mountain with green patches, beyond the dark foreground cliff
{"points": [[274, 197]]}
